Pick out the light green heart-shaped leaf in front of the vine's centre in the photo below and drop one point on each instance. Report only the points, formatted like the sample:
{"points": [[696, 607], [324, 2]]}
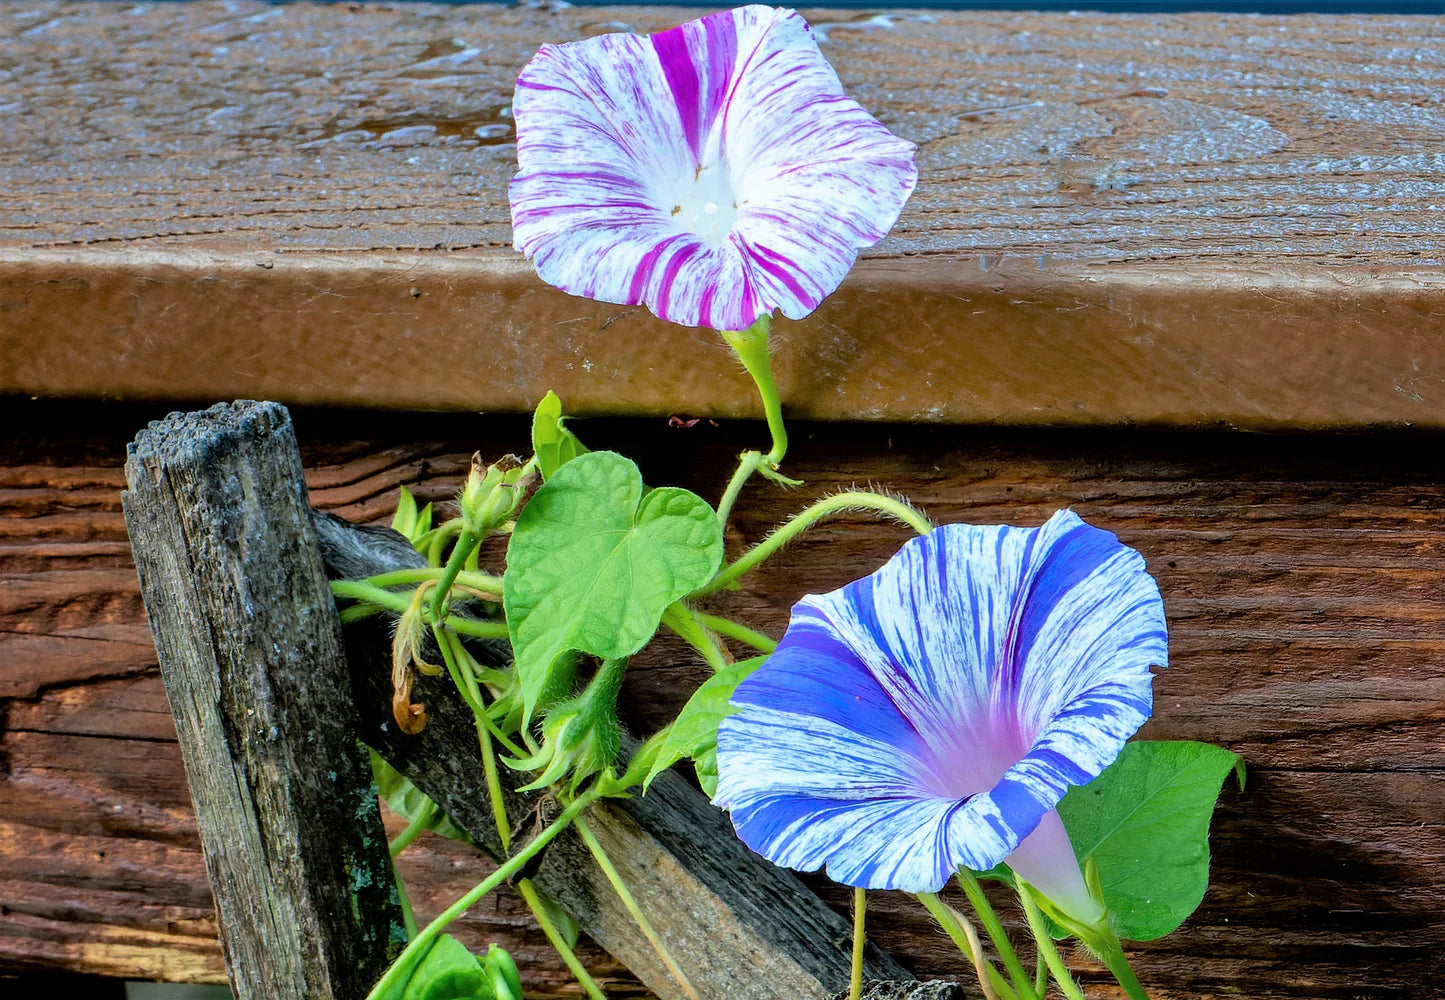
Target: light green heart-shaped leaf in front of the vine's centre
{"points": [[593, 564]]}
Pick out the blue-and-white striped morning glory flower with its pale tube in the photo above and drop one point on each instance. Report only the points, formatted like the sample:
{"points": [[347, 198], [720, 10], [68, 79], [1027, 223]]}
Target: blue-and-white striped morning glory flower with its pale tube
{"points": [[933, 715]]}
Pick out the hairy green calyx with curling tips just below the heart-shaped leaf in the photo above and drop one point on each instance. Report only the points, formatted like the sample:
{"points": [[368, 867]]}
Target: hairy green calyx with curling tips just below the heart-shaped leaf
{"points": [[582, 736]]}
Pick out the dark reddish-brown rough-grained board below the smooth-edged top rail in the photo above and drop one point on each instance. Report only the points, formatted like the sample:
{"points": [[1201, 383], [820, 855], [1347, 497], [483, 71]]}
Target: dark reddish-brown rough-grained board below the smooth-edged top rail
{"points": [[1304, 582]]}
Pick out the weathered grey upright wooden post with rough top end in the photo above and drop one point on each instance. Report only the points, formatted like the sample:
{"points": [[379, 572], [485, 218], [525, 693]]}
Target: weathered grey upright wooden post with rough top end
{"points": [[251, 651]]}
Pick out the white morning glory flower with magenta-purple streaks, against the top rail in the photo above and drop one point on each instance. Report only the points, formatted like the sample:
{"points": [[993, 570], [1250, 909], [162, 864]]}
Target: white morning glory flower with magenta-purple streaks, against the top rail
{"points": [[715, 171]]}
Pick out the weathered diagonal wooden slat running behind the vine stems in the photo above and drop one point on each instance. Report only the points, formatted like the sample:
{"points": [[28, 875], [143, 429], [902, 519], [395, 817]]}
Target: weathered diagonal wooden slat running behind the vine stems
{"points": [[738, 927]]}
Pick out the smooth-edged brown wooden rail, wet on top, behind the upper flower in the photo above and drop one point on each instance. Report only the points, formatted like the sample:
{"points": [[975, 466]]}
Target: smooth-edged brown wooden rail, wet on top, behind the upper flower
{"points": [[1191, 220]]}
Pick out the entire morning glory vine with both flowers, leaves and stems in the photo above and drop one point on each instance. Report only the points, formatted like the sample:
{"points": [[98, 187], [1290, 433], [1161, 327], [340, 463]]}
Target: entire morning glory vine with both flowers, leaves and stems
{"points": [[959, 716]]}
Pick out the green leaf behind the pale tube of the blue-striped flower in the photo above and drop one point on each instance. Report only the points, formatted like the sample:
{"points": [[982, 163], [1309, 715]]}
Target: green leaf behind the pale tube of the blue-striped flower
{"points": [[1145, 823]]}
